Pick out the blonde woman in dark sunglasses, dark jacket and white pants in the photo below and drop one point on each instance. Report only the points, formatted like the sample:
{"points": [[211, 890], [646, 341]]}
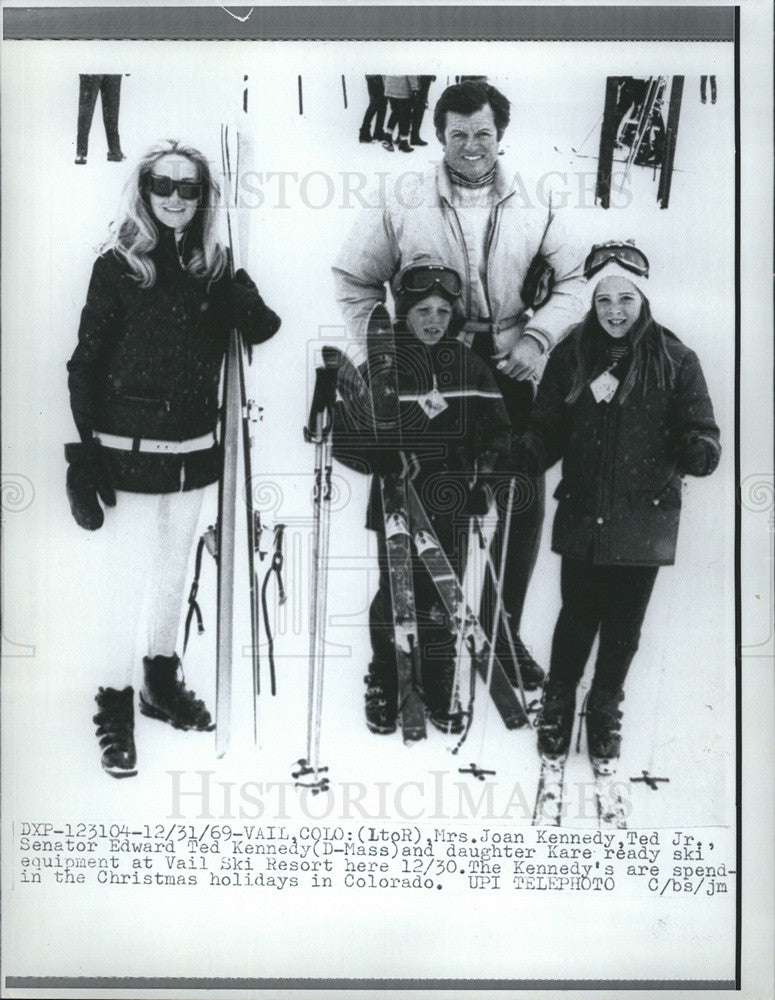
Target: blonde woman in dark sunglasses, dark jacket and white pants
{"points": [[143, 384]]}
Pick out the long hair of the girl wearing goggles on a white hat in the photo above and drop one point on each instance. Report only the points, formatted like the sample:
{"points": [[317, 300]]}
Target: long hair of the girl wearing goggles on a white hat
{"points": [[650, 356]]}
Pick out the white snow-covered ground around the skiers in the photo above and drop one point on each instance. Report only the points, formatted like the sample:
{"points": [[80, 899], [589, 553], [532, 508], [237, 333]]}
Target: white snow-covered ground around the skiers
{"points": [[680, 708]]}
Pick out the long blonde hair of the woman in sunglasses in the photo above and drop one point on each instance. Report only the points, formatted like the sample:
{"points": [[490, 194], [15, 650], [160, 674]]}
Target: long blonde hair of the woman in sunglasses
{"points": [[135, 232]]}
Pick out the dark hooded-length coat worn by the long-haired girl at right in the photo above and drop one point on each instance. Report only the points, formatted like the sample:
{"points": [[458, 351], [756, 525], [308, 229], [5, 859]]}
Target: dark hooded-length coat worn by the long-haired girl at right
{"points": [[620, 493]]}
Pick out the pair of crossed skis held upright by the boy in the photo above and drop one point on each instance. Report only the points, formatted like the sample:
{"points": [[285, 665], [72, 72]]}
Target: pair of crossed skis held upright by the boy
{"points": [[406, 522]]}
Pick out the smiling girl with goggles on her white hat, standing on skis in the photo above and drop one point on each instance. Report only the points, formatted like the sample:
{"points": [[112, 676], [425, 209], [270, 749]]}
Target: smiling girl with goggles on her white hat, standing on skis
{"points": [[624, 405]]}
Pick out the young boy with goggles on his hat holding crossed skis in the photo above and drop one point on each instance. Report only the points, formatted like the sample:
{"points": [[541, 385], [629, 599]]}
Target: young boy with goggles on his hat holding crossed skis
{"points": [[455, 429]]}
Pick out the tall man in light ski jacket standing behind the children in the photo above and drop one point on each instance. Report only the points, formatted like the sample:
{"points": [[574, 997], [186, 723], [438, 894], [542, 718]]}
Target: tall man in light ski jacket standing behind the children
{"points": [[490, 225]]}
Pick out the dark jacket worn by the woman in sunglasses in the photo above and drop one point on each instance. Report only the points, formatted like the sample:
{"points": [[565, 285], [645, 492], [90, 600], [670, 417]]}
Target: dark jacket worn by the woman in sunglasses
{"points": [[148, 363]]}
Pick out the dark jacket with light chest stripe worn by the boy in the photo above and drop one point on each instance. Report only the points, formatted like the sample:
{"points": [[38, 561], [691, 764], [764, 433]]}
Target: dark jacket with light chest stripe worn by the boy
{"points": [[473, 429]]}
